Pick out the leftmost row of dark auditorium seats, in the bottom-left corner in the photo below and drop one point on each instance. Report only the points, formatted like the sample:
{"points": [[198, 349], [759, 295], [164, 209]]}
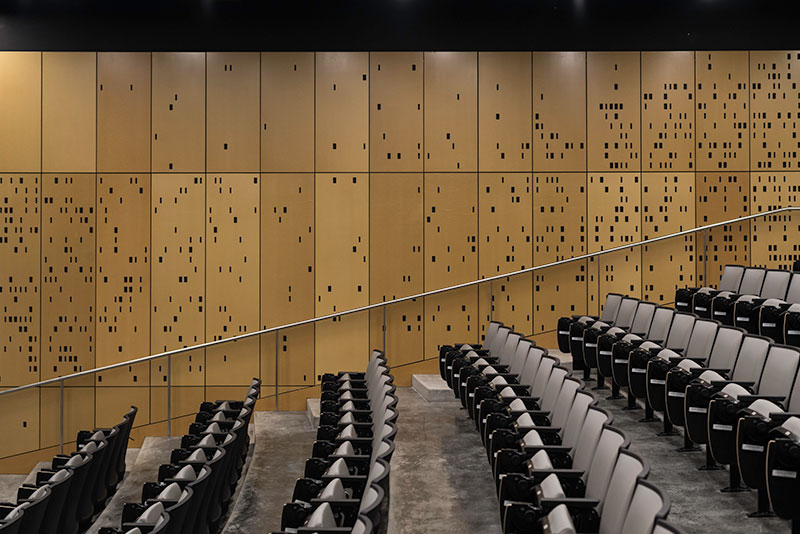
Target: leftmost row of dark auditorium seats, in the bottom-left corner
{"points": [[66, 496]]}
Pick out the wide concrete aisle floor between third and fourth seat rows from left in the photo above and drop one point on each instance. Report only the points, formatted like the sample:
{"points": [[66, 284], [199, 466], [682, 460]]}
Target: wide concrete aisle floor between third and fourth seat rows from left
{"points": [[441, 481]]}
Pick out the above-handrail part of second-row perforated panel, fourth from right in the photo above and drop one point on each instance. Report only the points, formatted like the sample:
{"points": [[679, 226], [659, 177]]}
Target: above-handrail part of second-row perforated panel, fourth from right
{"points": [[614, 210]]}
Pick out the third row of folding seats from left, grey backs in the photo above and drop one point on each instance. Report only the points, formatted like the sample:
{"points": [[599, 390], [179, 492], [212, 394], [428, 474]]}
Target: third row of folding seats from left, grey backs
{"points": [[345, 487]]}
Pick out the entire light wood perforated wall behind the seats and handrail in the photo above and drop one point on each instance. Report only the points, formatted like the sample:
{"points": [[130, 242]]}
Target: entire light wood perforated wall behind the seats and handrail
{"points": [[157, 200]]}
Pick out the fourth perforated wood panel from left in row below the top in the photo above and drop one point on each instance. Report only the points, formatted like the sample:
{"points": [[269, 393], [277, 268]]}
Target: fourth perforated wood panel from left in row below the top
{"points": [[178, 275]]}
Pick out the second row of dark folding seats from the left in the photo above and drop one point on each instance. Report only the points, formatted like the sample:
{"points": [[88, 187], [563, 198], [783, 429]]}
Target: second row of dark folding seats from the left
{"points": [[195, 488]]}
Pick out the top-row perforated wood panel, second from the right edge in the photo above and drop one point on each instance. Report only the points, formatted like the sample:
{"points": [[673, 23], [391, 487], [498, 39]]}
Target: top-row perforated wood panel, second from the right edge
{"points": [[722, 113]]}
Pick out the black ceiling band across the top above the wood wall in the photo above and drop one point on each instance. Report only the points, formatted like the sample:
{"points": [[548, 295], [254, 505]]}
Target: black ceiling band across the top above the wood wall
{"points": [[398, 24]]}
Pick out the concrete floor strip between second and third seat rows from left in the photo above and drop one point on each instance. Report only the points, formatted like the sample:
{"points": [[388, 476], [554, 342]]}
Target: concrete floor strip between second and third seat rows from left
{"points": [[282, 445]]}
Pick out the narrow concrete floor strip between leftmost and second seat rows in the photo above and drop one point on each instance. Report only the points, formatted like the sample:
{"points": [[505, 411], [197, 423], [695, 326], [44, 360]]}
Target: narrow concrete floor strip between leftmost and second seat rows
{"points": [[154, 452]]}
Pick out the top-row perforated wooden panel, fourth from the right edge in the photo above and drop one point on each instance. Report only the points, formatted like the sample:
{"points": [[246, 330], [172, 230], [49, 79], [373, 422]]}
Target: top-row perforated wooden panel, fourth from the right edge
{"points": [[613, 111]]}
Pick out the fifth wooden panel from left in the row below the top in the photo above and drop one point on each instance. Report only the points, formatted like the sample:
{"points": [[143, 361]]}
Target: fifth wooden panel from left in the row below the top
{"points": [[232, 277]]}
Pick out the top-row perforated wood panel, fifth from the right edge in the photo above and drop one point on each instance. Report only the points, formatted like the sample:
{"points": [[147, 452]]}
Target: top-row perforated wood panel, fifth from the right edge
{"points": [[559, 111]]}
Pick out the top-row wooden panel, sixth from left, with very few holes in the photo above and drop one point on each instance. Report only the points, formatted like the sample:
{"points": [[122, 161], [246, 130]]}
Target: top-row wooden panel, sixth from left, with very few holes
{"points": [[287, 112]]}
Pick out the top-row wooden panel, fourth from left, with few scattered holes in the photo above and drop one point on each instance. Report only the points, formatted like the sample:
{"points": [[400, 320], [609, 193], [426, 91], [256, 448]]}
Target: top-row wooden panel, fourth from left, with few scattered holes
{"points": [[179, 112]]}
